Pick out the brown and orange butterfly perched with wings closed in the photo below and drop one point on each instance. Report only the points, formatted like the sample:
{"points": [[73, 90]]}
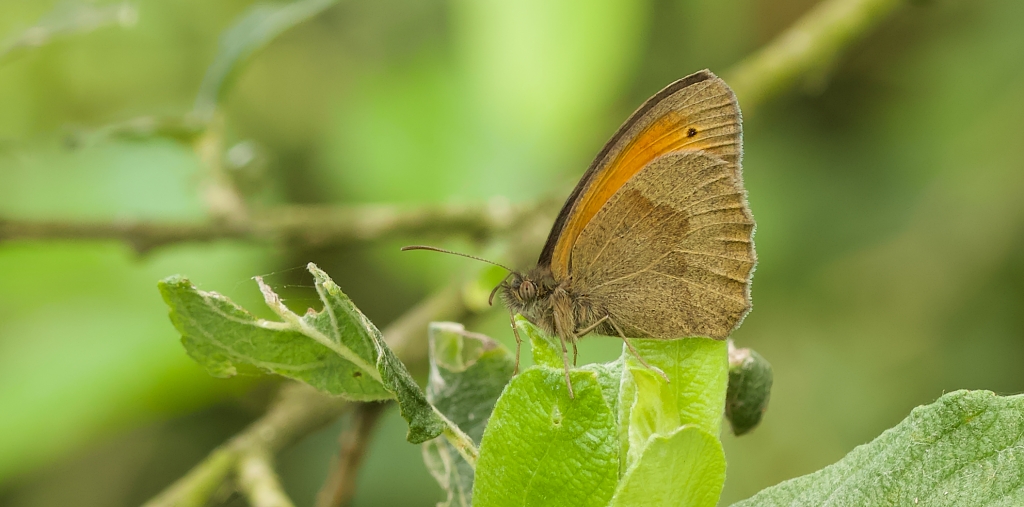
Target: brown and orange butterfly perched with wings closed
{"points": [[657, 239]]}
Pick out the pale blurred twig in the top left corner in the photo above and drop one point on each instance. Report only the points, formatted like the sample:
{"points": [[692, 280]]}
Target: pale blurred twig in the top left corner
{"points": [[68, 19]]}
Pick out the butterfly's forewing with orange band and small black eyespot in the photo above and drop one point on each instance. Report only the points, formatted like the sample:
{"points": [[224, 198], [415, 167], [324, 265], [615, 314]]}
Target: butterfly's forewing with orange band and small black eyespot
{"points": [[699, 112]]}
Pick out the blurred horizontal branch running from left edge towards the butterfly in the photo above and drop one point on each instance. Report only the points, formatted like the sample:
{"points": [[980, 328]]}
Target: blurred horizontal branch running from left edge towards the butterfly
{"points": [[294, 226]]}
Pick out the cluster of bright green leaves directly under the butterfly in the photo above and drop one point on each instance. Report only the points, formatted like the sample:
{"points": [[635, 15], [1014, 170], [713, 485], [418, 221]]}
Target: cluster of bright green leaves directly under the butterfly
{"points": [[627, 430]]}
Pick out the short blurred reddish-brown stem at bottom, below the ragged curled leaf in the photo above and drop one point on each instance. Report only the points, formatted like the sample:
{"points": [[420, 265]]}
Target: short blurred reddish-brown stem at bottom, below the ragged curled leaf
{"points": [[340, 485]]}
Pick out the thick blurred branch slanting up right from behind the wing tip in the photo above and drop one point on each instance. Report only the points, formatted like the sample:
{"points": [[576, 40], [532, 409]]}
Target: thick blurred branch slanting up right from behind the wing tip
{"points": [[807, 50]]}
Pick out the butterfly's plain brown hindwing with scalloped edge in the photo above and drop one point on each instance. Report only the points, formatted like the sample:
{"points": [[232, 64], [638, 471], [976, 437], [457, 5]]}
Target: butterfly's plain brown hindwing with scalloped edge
{"points": [[671, 253]]}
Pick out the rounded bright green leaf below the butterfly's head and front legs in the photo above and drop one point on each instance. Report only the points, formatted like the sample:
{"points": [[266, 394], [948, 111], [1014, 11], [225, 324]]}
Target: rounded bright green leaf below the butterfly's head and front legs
{"points": [[543, 449]]}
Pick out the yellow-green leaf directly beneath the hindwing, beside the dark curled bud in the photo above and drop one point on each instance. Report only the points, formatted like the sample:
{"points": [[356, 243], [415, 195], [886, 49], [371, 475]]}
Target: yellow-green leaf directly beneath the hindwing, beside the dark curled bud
{"points": [[698, 369]]}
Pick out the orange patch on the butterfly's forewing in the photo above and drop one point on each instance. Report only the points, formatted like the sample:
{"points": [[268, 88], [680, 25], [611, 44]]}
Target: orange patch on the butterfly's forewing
{"points": [[665, 136]]}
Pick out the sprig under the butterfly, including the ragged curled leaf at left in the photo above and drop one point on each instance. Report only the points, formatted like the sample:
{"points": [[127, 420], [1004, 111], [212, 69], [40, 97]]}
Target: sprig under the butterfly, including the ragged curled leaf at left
{"points": [[625, 429]]}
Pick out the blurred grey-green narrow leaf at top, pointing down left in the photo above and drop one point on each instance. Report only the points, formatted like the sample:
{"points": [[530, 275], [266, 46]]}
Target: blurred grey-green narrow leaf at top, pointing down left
{"points": [[257, 28]]}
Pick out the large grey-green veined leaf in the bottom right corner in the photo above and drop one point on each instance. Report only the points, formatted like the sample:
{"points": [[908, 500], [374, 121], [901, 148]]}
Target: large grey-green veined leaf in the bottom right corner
{"points": [[964, 450]]}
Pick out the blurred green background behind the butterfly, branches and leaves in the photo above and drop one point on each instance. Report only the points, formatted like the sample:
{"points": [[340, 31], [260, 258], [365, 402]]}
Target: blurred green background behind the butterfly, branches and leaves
{"points": [[889, 200]]}
